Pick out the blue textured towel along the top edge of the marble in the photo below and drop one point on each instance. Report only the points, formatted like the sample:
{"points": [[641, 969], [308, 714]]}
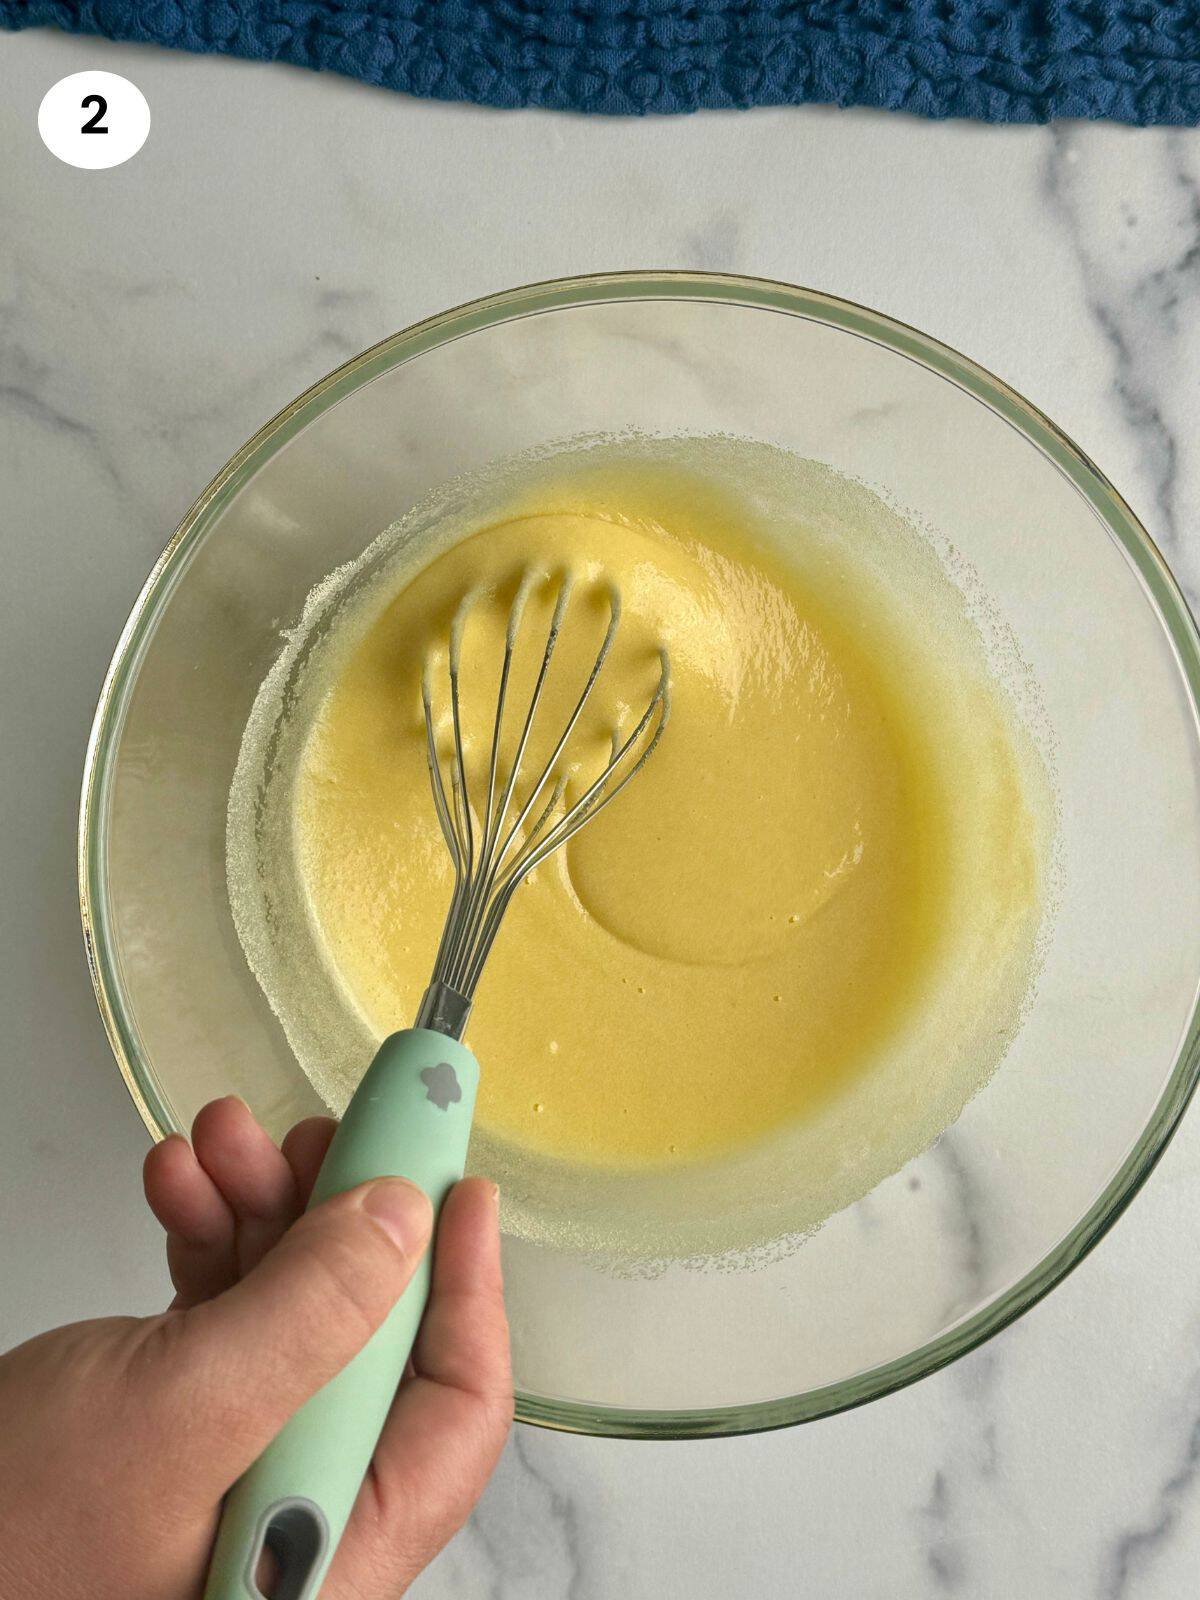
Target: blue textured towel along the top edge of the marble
{"points": [[998, 60]]}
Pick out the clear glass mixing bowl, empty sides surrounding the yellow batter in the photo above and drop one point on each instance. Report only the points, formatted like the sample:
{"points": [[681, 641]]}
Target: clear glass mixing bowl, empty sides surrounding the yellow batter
{"points": [[1042, 1162]]}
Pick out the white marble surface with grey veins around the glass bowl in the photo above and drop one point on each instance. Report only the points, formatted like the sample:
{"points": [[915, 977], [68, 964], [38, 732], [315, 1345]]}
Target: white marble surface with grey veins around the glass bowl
{"points": [[276, 223]]}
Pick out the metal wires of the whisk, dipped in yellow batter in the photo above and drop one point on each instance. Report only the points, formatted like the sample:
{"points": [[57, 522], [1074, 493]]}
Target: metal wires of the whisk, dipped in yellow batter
{"points": [[490, 863]]}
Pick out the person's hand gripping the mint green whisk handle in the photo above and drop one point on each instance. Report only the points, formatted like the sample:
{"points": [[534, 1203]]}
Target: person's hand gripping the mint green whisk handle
{"points": [[122, 1436]]}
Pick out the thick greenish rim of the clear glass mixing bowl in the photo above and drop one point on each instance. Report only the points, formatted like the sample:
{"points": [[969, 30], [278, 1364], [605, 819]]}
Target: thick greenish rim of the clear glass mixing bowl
{"points": [[554, 297]]}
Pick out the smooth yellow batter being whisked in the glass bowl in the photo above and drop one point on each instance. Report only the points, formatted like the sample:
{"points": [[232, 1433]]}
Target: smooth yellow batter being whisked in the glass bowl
{"points": [[836, 814]]}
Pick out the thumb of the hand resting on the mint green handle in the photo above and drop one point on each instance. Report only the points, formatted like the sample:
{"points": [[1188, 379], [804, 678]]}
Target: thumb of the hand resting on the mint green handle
{"points": [[242, 1364]]}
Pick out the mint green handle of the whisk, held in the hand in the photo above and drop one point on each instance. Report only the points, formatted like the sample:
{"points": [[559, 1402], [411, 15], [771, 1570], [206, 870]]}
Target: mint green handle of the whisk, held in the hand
{"points": [[410, 1118]]}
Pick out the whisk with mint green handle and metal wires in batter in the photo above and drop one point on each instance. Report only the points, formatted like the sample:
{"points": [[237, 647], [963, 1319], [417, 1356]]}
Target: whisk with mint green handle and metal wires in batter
{"points": [[414, 1110]]}
